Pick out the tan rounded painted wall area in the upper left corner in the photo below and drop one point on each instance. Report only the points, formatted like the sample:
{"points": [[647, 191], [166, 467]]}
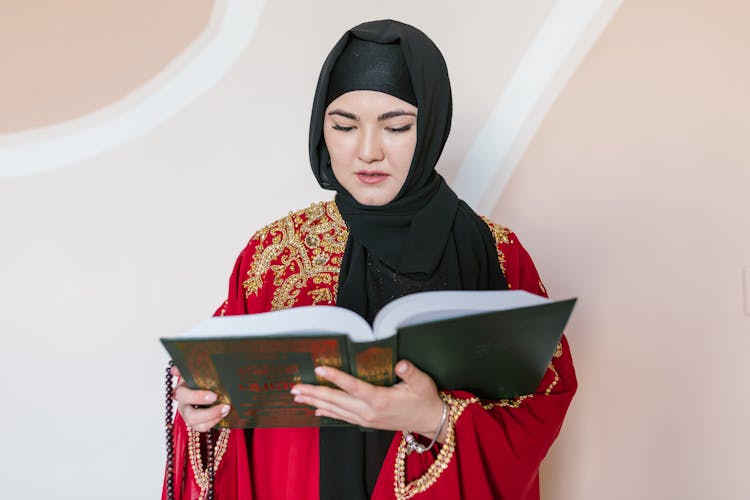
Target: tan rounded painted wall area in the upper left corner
{"points": [[62, 60]]}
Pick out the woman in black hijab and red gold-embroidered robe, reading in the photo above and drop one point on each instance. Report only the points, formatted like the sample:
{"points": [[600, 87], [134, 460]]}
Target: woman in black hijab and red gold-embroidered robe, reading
{"points": [[380, 118]]}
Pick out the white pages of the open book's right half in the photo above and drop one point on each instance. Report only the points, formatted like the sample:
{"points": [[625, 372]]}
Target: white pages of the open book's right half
{"points": [[427, 307]]}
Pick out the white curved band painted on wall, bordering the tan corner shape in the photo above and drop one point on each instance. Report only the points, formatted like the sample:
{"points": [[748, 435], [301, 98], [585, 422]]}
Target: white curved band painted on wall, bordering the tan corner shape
{"points": [[198, 69]]}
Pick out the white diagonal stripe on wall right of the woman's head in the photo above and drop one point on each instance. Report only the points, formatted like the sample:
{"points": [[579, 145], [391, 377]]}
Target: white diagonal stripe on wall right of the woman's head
{"points": [[564, 38]]}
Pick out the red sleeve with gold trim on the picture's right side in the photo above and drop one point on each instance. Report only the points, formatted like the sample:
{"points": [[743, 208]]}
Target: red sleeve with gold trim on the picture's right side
{"points": [[494, 448]]}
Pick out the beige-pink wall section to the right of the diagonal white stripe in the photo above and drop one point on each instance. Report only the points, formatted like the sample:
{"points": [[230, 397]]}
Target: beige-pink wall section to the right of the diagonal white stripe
{"points": [[635, 196]]}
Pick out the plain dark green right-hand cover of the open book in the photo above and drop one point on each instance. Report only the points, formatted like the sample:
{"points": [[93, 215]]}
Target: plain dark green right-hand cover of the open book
{"points": [[494, 355]]}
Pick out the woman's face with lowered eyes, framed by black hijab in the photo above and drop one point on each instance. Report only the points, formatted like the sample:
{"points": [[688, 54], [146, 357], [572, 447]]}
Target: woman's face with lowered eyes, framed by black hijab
{"points": [[371, 138]]}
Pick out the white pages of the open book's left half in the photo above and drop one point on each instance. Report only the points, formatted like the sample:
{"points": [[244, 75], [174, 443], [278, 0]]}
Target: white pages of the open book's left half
{"points": [[297, 321]]}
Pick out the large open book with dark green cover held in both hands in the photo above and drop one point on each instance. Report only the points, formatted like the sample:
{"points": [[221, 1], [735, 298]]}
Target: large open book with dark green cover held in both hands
{"points": [[495, 344]]}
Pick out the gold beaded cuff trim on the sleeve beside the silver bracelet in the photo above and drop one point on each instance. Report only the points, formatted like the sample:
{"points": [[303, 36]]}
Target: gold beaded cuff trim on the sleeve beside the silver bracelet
{"points": [[405, 491]]}
